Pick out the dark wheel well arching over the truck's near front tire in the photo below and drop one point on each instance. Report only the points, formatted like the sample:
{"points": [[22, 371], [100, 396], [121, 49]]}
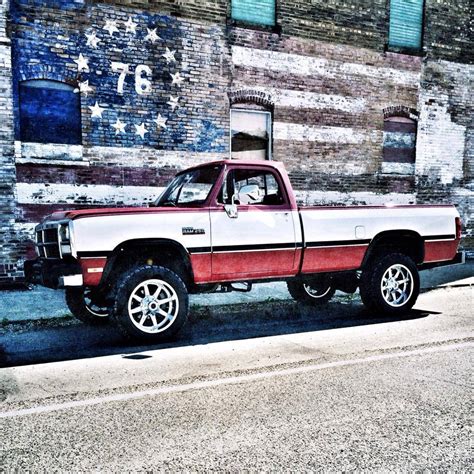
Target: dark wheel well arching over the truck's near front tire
{"points": [[166, 253]]}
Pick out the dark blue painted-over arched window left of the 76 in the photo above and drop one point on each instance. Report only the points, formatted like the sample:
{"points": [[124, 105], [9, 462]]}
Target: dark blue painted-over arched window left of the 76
{"points": [[50, 112]]}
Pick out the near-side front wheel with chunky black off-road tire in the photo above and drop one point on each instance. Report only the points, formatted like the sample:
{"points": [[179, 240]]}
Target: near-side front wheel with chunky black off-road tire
{"points": [[127, 312]]}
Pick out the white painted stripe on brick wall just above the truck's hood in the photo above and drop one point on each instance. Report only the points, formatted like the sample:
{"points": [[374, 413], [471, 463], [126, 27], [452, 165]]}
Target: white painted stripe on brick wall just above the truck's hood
{"points": [[42, 193]]}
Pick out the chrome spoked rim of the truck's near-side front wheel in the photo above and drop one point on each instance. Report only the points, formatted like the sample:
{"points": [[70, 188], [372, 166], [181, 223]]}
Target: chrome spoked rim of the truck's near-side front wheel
{"points": [[153, 306]]}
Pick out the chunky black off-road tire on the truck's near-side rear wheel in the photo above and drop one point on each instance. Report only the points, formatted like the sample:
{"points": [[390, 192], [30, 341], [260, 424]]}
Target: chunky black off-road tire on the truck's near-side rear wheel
{"points": [[376, 275]]}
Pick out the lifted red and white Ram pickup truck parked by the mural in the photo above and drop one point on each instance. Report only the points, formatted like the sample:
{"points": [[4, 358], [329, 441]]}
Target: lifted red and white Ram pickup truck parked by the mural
{"points": [[224, 225]]}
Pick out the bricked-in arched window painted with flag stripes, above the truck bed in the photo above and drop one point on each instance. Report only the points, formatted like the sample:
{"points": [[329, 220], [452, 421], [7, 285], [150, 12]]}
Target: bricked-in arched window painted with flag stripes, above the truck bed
{"points": [[399, 142]]}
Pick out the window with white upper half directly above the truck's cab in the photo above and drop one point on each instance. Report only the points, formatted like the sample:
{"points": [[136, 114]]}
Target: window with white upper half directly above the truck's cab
{"points": [[251, 134]]}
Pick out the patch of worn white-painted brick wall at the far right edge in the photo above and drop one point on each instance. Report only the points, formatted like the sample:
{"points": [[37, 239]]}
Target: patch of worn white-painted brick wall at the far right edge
{"points": [[444, 161]]}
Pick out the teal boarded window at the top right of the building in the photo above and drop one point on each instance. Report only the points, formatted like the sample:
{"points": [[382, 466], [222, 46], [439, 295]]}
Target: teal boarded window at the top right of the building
{"points": [[406, 19]]}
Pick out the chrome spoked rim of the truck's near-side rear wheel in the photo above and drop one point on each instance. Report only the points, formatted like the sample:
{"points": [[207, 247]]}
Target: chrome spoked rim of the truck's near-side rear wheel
{"points": [[397, 285]]}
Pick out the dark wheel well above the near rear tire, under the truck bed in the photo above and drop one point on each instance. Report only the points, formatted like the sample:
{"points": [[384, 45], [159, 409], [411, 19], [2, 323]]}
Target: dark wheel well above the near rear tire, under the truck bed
{"points": [[406, 242]]}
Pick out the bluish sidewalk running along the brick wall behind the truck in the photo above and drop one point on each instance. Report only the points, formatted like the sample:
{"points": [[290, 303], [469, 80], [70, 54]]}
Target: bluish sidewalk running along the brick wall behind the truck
{"points": [[43, 303]]}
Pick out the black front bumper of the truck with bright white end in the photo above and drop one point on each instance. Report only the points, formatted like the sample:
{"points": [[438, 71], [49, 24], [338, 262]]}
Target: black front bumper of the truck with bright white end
{"points": [[53, 273]]}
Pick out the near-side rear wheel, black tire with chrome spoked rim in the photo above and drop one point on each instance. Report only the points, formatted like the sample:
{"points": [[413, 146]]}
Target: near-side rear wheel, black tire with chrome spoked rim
{"points": [[390, 285]]}
